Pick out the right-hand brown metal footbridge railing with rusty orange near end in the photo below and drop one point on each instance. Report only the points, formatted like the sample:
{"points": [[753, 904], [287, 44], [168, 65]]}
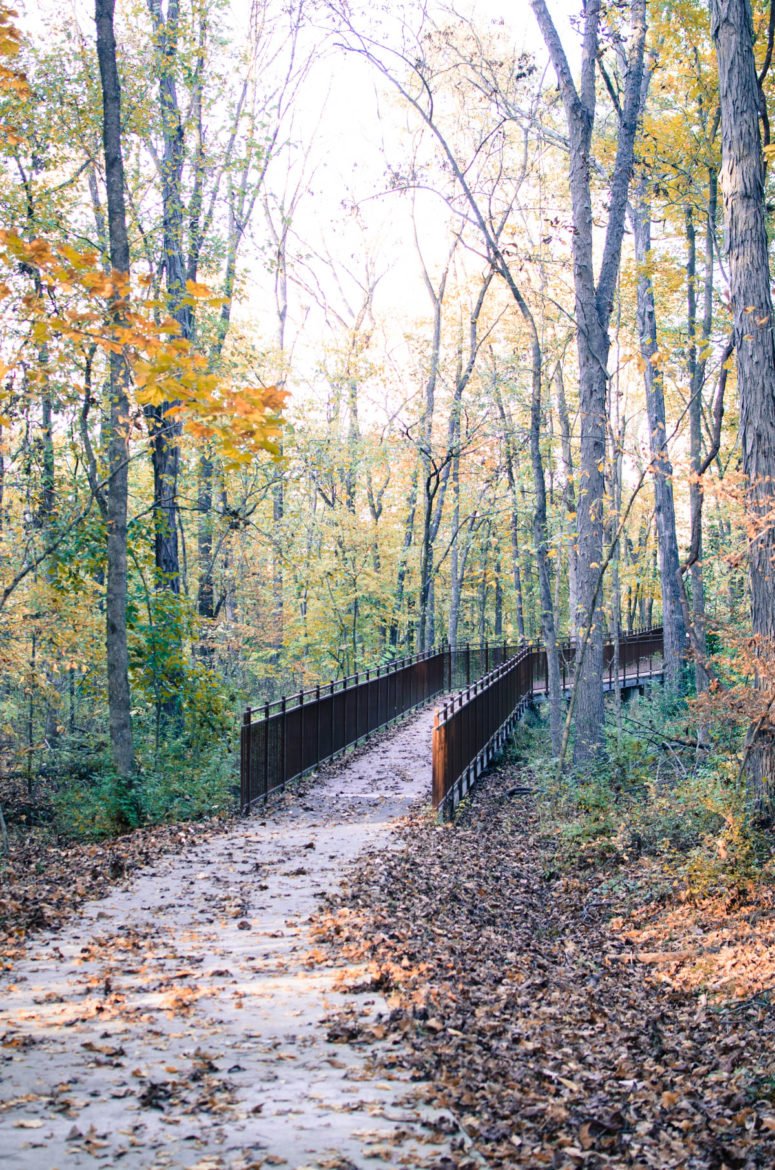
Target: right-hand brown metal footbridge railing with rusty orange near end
{"points": [[475, 725]]}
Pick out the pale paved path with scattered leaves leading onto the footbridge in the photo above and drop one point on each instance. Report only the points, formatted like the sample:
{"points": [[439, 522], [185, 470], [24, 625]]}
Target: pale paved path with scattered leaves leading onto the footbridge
{"points": [[180, 1023]]}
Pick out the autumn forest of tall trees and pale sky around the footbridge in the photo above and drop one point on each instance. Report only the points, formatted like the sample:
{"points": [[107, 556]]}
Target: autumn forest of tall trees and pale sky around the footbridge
{"points": [[333, 335]]}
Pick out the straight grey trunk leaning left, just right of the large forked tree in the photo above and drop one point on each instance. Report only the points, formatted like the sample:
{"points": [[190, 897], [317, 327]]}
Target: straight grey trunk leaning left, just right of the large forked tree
{"points": [[675, 628]]}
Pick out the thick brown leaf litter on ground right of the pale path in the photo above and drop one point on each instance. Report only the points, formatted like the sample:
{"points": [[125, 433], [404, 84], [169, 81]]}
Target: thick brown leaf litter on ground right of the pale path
{"points": [[522, 1003]]}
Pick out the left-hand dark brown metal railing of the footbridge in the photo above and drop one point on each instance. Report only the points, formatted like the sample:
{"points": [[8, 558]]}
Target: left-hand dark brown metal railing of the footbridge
{"points": [[294, 735]]}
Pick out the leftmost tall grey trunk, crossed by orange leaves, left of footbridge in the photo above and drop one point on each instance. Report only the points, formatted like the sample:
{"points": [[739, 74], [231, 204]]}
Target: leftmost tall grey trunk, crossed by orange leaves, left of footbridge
{"points": [[119, 694]]}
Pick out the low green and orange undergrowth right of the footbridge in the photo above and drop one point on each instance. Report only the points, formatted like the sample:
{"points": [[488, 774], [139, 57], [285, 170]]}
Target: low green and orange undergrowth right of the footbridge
{"points": [[663, 799]]}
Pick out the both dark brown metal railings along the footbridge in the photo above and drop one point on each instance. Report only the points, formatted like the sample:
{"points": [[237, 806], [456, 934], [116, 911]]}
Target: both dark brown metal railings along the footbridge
{"points": [[491, 686]]}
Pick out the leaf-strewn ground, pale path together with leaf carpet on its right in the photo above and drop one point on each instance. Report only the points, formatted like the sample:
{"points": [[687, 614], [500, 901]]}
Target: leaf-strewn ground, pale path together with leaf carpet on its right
{"points": [[345, 985]]}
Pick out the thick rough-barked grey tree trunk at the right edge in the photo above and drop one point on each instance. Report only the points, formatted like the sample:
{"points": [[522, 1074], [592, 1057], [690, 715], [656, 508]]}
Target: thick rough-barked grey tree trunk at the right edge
{"points": [[743, 185]]}
